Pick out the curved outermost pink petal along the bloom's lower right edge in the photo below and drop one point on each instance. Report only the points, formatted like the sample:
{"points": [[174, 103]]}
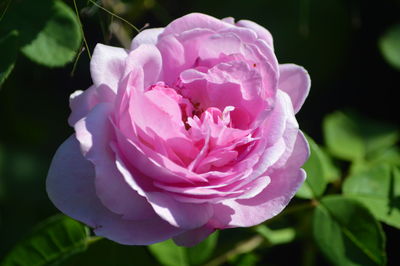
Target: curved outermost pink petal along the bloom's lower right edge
{"points": [[274, 198]]}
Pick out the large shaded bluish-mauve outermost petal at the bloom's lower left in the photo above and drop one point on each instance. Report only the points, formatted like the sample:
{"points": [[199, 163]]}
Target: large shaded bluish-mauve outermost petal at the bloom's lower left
{"points": [[70, 186]]}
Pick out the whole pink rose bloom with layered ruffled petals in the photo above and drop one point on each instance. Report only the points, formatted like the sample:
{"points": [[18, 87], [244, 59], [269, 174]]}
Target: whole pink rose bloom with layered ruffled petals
{"points": [[191, 130]]}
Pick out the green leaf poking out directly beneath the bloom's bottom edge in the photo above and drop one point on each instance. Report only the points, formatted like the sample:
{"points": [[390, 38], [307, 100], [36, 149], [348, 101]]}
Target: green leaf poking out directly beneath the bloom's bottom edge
{"points": [[169, 254]]}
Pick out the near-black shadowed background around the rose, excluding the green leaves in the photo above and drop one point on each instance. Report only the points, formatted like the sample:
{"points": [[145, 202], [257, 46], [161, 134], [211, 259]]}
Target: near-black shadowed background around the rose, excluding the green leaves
{"points": [[335, 40]]}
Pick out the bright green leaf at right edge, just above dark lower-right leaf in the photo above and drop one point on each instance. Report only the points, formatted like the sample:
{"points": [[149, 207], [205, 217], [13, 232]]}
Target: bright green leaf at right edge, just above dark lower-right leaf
{"points": [[378, 189]]}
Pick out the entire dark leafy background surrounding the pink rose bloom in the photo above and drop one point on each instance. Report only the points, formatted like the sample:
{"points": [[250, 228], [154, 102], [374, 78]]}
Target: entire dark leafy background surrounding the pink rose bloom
{"points": [[353, 179]]}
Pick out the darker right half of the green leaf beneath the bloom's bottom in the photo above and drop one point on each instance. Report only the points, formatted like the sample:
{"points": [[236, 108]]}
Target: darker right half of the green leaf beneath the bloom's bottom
{"points": [[200, 253]]}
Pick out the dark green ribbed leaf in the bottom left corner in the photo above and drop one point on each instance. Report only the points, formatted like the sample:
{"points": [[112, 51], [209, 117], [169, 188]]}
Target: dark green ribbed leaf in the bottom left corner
{"points": [[51, 242]]}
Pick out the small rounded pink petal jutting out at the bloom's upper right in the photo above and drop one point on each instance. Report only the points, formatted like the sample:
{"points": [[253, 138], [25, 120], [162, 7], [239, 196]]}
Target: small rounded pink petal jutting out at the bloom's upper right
{"points": [[295, 81]]}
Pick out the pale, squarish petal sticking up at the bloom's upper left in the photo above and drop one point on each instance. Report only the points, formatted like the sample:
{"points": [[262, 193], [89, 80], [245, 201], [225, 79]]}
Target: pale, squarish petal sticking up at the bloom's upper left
{"points": [[107, 65]]}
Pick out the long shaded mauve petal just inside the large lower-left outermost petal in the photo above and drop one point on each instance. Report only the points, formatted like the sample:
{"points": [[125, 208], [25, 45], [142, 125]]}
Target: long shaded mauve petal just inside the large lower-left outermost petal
{"points": [[94, 134]]}
